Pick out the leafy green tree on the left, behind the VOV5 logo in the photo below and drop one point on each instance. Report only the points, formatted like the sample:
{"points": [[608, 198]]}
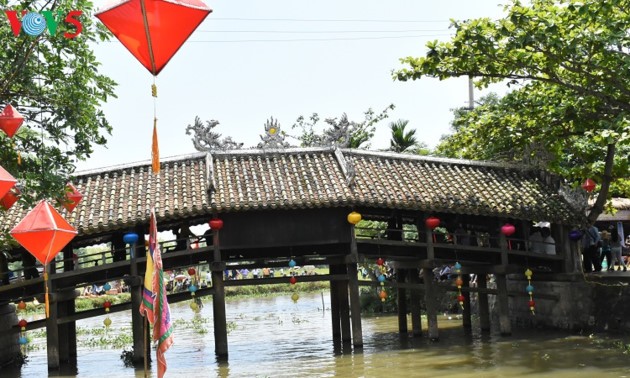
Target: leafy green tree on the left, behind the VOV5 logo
{"points": [[54, 83]]}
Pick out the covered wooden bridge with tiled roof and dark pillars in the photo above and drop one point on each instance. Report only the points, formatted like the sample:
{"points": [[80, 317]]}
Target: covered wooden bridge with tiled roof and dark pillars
{"points": [[283, 204]]}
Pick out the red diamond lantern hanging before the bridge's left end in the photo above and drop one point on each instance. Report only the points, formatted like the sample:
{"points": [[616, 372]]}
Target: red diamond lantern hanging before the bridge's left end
{"points": [[43, 232]]}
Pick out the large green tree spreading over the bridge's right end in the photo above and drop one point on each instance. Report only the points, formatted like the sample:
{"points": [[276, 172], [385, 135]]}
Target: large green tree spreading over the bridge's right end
{"points": [[567, 61]]}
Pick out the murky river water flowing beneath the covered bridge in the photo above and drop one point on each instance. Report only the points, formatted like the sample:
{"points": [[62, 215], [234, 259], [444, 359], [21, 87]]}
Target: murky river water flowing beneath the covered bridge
{"points": [[274, 337]]}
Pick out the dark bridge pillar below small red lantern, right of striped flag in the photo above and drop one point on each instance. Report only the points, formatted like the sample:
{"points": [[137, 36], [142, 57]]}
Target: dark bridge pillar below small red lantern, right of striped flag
{"points": [[218, 301]]}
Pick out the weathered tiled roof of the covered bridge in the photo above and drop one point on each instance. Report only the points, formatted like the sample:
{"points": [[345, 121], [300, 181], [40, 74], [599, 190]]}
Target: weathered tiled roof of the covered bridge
{"points": [[242, 180]]}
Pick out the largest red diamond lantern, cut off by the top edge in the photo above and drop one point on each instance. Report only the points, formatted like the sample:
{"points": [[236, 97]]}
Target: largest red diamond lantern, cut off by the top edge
{"points": [[169, 24]]}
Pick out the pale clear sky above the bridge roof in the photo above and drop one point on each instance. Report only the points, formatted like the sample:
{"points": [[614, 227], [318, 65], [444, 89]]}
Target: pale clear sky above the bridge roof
{"points": [[251, 60]]}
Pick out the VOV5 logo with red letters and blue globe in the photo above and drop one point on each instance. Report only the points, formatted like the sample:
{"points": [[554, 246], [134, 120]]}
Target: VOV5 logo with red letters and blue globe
{"points": [[34, 23]]}
